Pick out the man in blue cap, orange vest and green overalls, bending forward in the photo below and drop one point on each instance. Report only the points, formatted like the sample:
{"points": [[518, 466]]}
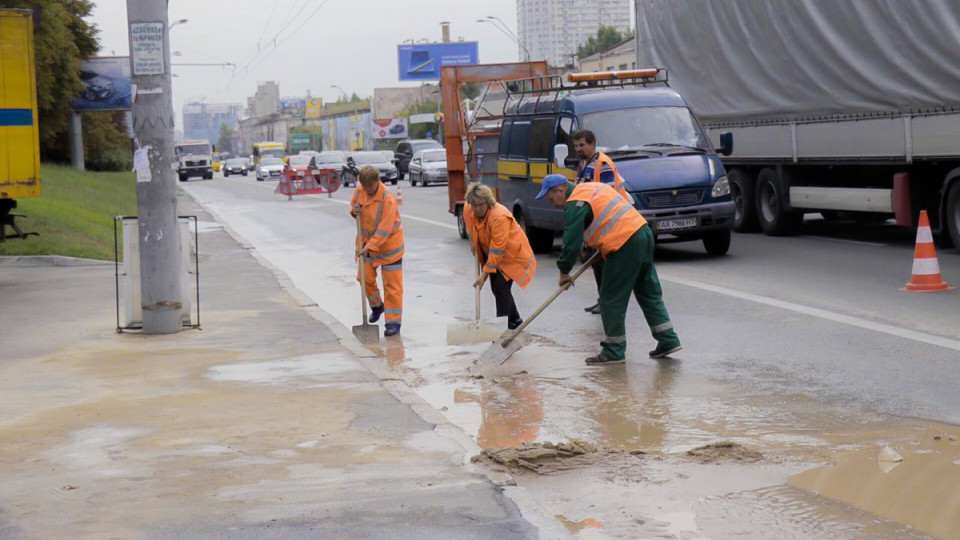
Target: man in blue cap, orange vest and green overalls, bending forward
{"points": [[594, 212]]}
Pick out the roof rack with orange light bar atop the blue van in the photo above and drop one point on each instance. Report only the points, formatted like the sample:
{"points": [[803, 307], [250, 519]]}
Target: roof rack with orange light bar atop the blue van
{"points": [[548, 89]]}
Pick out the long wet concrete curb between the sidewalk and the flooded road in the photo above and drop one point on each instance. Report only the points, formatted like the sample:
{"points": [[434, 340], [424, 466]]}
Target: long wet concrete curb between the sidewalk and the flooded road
{"points": [[540, 518]]}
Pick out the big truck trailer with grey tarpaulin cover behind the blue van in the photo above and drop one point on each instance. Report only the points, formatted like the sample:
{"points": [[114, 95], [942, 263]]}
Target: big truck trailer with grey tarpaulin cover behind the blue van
{"points": [[850, 108]]}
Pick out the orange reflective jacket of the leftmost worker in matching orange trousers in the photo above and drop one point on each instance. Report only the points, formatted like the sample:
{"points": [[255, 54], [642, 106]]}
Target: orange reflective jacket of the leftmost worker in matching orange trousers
{"points": [[380, 223]]}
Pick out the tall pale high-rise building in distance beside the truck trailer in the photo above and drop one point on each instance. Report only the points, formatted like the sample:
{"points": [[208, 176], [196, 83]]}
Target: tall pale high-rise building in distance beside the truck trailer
{"points": [[553, 29]]}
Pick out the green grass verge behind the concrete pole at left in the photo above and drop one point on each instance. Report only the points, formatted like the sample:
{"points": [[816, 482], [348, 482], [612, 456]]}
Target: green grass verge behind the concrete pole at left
{"points": [[74, 214]]}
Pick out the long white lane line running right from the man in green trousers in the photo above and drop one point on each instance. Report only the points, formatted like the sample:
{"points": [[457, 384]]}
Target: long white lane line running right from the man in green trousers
{"points": [[913, 335]]}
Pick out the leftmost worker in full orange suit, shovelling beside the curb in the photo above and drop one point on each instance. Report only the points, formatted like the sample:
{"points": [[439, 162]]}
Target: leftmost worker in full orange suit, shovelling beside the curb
{"points": [[381, 246]]}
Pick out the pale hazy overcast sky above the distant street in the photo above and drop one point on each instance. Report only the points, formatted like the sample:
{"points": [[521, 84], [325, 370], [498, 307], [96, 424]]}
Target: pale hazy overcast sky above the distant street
{"points": [[350, 43]]}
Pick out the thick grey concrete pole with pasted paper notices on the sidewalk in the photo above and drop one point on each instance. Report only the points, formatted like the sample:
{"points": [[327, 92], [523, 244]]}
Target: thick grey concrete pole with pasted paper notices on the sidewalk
{"points": [[156, 193]]}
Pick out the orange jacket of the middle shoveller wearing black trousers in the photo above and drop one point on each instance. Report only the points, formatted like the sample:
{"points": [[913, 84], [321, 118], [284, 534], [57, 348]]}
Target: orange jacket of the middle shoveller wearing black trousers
{"points": [[499, 239]]}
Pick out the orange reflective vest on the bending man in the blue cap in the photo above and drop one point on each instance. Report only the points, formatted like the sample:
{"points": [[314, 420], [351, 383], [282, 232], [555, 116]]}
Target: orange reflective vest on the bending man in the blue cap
{"points": [[614, 220]]}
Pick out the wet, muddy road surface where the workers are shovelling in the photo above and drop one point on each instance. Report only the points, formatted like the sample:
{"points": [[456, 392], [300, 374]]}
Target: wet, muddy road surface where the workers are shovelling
{"points": [[805, 385]]}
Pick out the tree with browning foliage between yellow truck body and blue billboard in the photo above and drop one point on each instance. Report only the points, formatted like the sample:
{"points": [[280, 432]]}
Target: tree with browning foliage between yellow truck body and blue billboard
{"points": [[61, 40]]}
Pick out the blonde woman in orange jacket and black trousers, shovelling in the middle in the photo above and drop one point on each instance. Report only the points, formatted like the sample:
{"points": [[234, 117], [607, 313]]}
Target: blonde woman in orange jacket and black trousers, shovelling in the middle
{"points": [[501, 248]]}
